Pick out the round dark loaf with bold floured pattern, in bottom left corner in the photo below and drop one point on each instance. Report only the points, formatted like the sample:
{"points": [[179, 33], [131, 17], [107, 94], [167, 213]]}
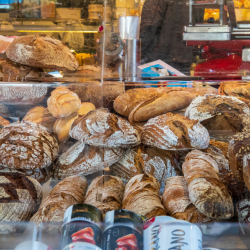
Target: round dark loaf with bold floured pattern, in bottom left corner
{"points": [[20, 197]]}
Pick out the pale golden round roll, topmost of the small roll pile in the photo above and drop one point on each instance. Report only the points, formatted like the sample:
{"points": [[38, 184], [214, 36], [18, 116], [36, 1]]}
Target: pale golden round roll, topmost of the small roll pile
{"points": [[63, 102]]}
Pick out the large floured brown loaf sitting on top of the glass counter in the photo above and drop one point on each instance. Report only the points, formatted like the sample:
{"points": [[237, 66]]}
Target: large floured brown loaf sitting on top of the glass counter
{"points": [[41, 51]]}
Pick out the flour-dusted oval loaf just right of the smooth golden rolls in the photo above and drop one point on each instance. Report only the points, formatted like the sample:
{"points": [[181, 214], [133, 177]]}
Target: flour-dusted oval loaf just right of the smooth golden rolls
{"points": [[102, 128]]}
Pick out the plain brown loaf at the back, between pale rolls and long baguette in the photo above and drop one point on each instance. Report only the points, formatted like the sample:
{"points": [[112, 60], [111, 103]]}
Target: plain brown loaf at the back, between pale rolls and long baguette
{"points": [[100, 94]]}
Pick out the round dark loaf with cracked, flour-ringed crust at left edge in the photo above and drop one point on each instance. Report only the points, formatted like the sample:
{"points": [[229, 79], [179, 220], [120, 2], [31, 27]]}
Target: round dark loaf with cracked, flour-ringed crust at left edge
{"points": [[26, 146]]}
